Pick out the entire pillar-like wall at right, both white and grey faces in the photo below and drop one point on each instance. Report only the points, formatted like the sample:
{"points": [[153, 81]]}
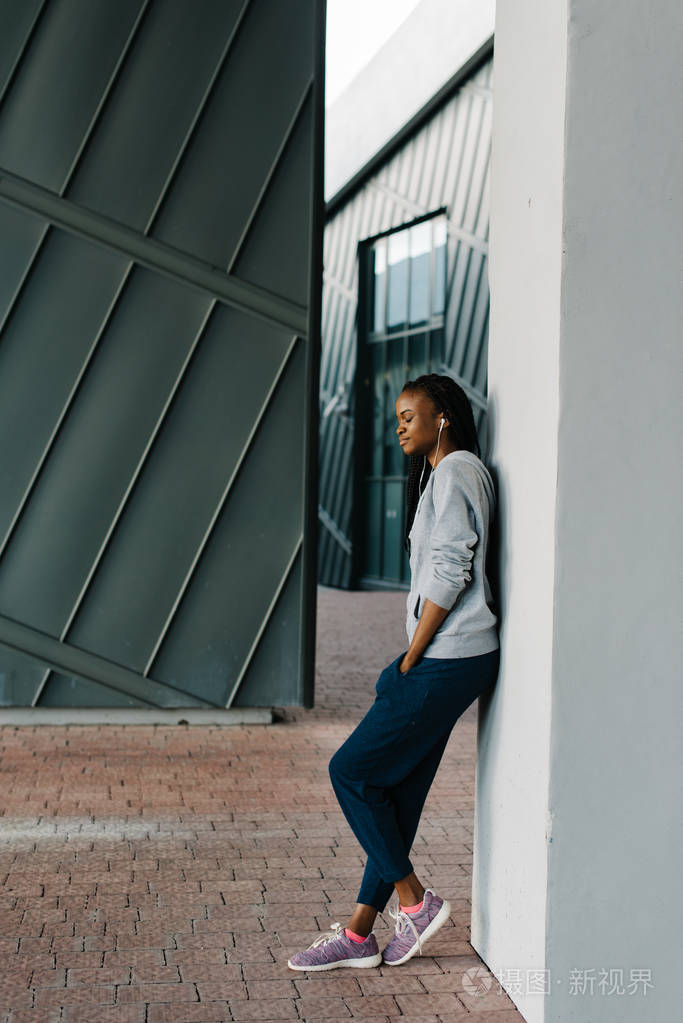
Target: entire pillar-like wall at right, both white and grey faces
{"points": [[582, 740]]}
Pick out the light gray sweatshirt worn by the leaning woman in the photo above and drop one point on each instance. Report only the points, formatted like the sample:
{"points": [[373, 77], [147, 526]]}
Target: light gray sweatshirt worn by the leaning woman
{"points": [[448, 550]]}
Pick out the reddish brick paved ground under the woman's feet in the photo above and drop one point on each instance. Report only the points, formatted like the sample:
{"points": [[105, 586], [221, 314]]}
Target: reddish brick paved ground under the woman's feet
{"points": [[163, 875]]}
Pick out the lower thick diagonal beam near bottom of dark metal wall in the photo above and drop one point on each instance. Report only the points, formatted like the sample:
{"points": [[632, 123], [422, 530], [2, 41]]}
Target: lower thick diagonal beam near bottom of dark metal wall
{"points": [[92, 668]]}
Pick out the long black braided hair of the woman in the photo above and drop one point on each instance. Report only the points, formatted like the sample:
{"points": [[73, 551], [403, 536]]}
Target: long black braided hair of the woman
{"points": [[447, 397]]}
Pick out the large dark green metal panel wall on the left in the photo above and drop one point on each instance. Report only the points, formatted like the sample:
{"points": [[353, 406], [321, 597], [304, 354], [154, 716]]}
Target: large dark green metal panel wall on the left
{"points": [[161, 239]]}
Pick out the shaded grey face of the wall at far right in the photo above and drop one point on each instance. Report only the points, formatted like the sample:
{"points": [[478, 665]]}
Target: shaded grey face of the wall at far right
{"points": [[617, 770]]}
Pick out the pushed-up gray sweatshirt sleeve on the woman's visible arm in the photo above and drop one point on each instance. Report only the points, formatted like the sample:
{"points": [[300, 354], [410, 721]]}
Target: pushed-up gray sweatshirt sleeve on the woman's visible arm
{"points": [[452, 542]]}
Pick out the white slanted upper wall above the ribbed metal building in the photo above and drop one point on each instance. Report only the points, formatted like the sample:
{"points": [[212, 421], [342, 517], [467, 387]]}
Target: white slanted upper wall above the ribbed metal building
{"points": [[422, 56]]}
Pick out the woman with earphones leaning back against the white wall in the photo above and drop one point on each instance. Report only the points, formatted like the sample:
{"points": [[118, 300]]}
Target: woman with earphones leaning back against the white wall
{"points": [[384, 771]]}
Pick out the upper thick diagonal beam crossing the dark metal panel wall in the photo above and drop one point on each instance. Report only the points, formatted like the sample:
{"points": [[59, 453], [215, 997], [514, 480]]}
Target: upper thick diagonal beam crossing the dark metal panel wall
{"points": [[157, 256]]}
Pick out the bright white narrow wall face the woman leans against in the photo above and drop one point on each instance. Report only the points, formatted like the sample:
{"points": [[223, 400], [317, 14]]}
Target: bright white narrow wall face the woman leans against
{"points": [[525, 277]]}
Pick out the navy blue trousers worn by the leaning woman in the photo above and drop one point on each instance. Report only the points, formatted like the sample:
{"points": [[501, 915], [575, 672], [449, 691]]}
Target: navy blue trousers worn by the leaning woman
{"points": [[383, 773]]}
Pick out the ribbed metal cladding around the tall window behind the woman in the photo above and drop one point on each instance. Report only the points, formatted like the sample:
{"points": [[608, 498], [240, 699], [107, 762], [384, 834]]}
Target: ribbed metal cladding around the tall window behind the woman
{"points": [[445, 164]]}
